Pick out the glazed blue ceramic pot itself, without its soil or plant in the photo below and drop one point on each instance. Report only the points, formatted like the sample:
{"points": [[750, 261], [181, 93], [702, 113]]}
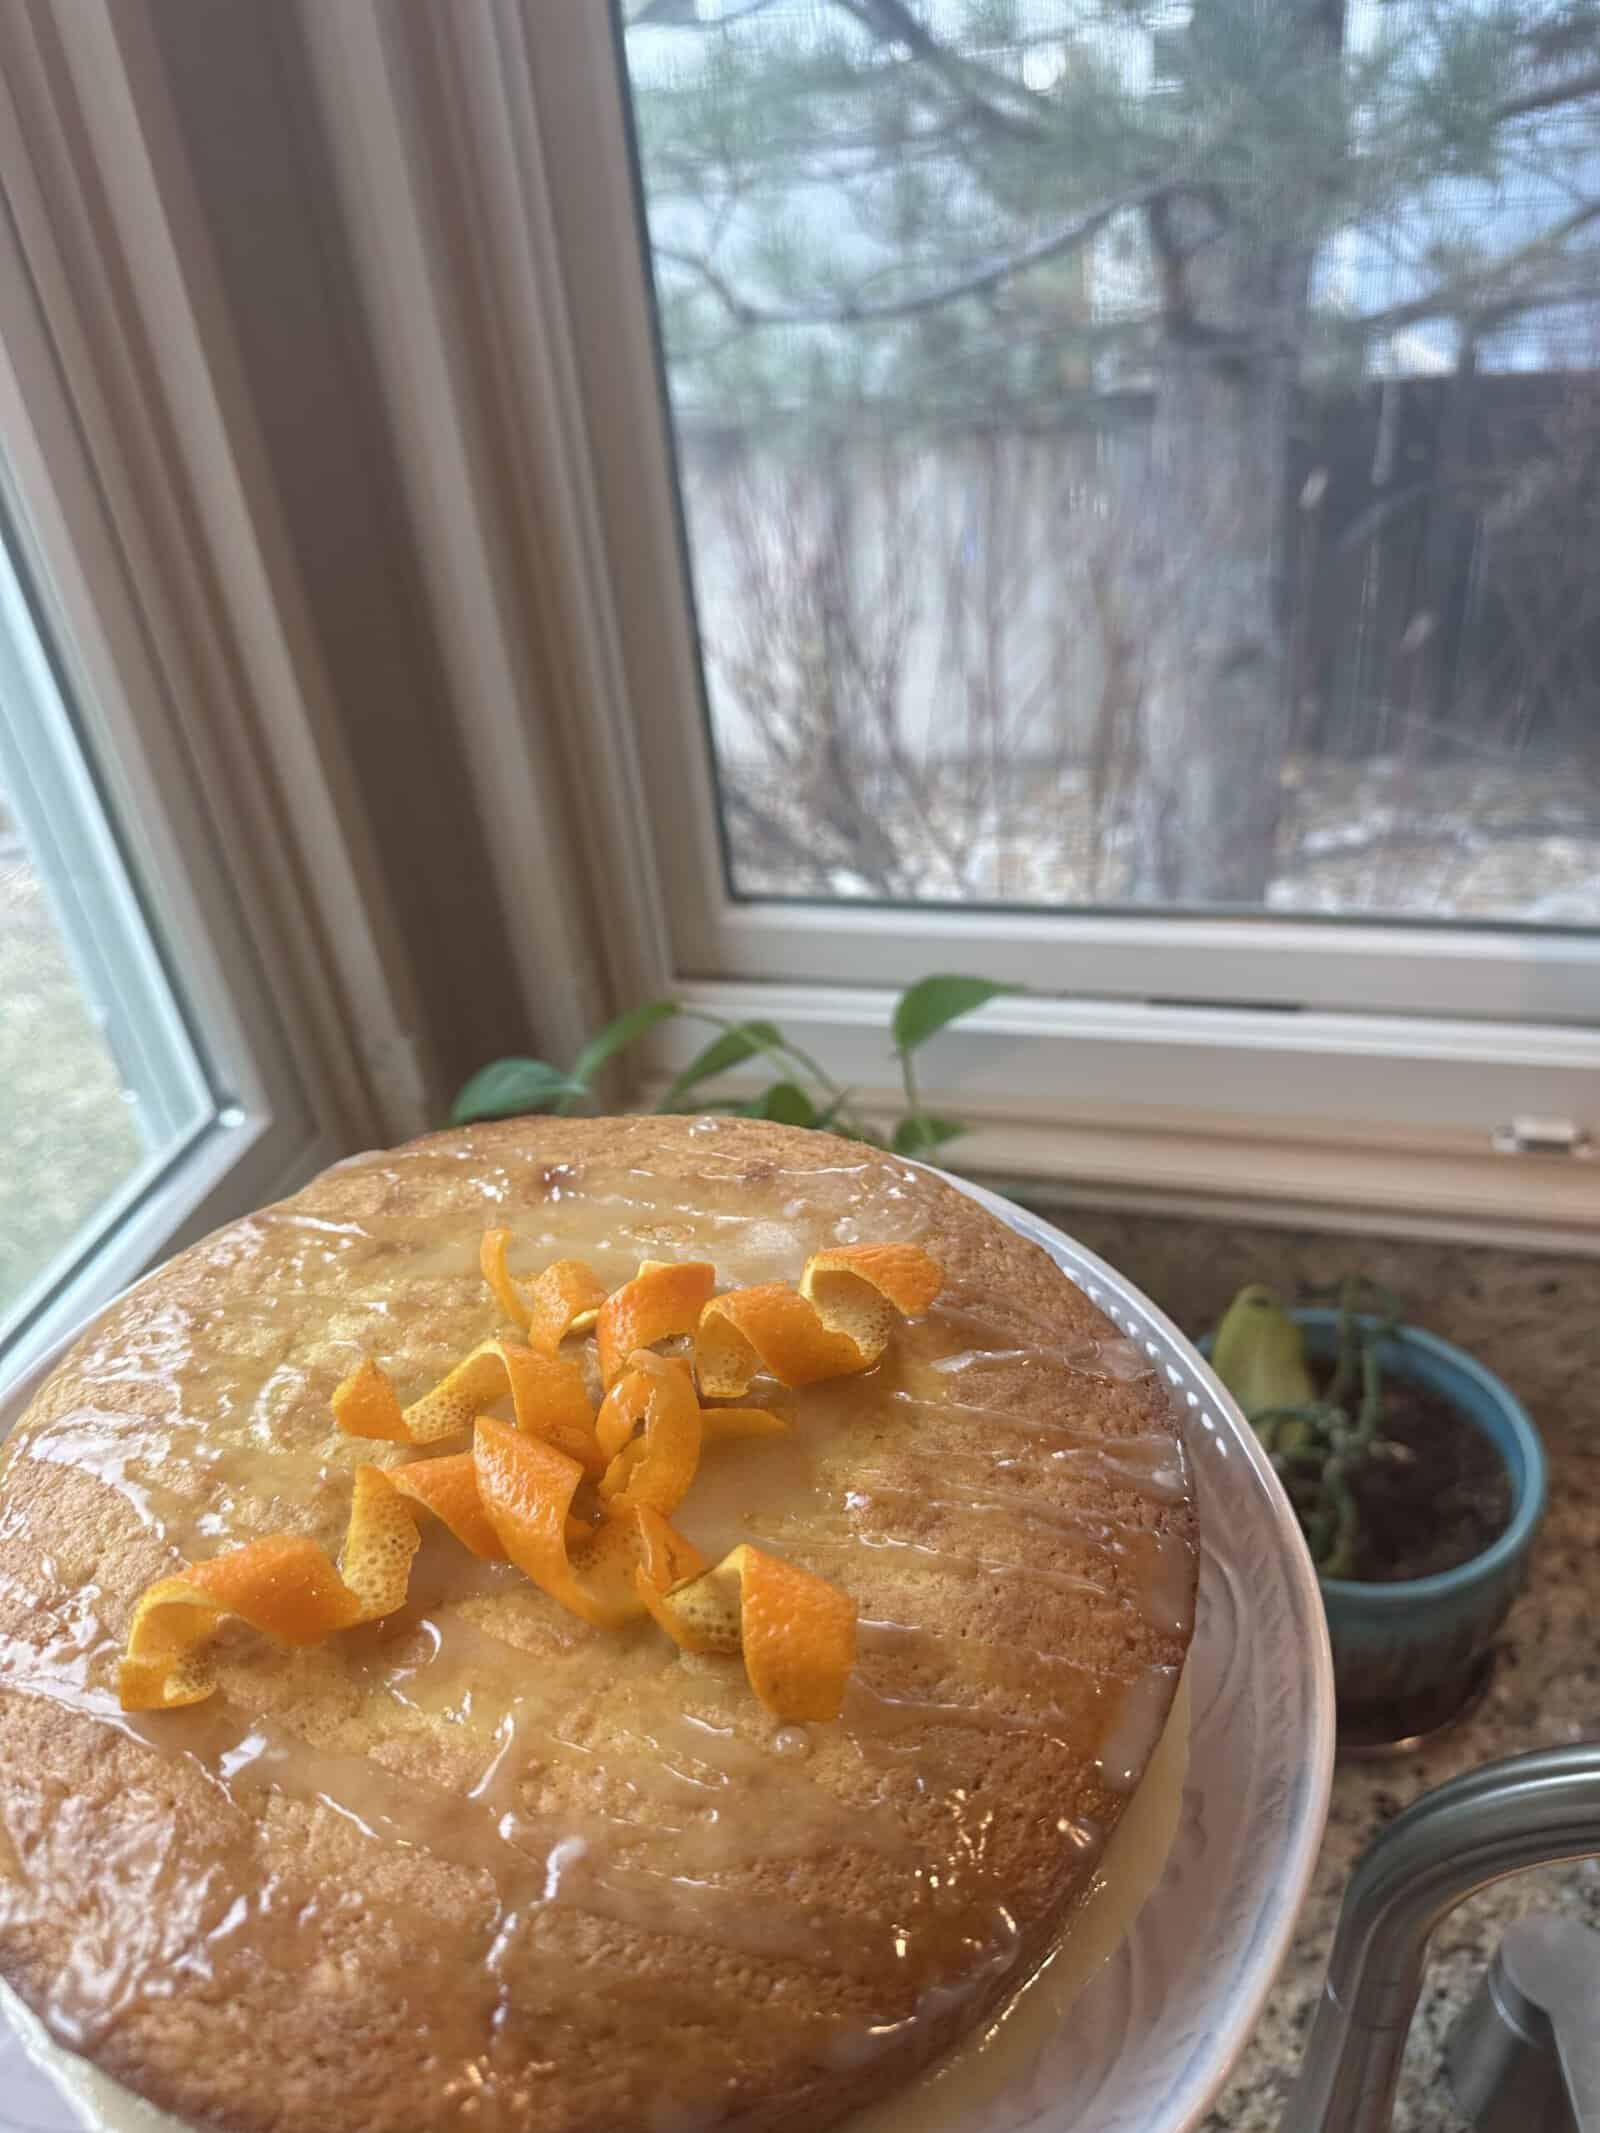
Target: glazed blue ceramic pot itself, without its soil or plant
{"points": [[1407, 1654]]}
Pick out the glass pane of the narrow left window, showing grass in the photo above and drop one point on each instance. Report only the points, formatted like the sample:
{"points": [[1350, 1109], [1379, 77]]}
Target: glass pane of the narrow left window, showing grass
{"points": [[99, 1082]]}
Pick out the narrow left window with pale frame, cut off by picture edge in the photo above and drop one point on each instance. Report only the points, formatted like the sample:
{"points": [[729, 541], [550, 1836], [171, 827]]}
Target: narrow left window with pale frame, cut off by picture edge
{"points": [[142, 1091]]}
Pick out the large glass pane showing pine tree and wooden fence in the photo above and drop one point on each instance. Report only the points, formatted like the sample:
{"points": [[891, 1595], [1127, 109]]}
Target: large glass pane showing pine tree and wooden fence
{"points": [[1140, 455]]}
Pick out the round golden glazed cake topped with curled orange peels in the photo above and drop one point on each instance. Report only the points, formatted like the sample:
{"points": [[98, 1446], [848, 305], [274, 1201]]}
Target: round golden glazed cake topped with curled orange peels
{"points": [[485, 1863]]}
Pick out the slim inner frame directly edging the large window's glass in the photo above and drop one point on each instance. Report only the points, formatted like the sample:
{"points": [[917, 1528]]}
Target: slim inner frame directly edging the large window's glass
{"points": [[1362, 967]]}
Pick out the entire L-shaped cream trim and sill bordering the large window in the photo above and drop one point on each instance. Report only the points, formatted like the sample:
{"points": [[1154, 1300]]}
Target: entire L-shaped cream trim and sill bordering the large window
{"points": [[1311, 1082]]}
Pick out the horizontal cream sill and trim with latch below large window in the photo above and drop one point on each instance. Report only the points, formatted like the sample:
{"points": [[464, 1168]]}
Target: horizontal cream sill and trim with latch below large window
{"points": [[1017, 1072]]}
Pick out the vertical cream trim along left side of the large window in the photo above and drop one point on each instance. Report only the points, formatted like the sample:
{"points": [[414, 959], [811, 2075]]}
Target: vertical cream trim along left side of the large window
{"points": [[443, 202]]}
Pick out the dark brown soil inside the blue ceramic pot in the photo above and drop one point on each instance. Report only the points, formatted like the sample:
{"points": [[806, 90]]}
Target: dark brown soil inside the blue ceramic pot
{"points": [[1445, 1503]]}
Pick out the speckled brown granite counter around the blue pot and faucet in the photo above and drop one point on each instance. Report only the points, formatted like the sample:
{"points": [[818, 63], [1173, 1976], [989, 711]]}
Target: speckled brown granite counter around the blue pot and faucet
{"points": [[1537, 1324]]}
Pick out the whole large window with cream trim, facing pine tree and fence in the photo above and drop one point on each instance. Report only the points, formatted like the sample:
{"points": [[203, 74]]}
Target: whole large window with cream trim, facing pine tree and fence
{"points": [[1089, 496]]}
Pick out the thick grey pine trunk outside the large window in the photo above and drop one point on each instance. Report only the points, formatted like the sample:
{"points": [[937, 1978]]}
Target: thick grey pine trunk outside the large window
{"points": [[1215, 519]]}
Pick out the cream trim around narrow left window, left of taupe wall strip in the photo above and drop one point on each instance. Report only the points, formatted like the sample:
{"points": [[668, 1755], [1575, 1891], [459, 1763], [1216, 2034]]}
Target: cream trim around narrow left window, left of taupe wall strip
{"points": [[172, 605]]}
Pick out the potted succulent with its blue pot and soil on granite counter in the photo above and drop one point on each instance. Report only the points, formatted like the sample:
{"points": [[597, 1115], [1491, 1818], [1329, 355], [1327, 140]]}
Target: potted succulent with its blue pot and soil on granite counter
{"points": [[1418, 1481]]}
